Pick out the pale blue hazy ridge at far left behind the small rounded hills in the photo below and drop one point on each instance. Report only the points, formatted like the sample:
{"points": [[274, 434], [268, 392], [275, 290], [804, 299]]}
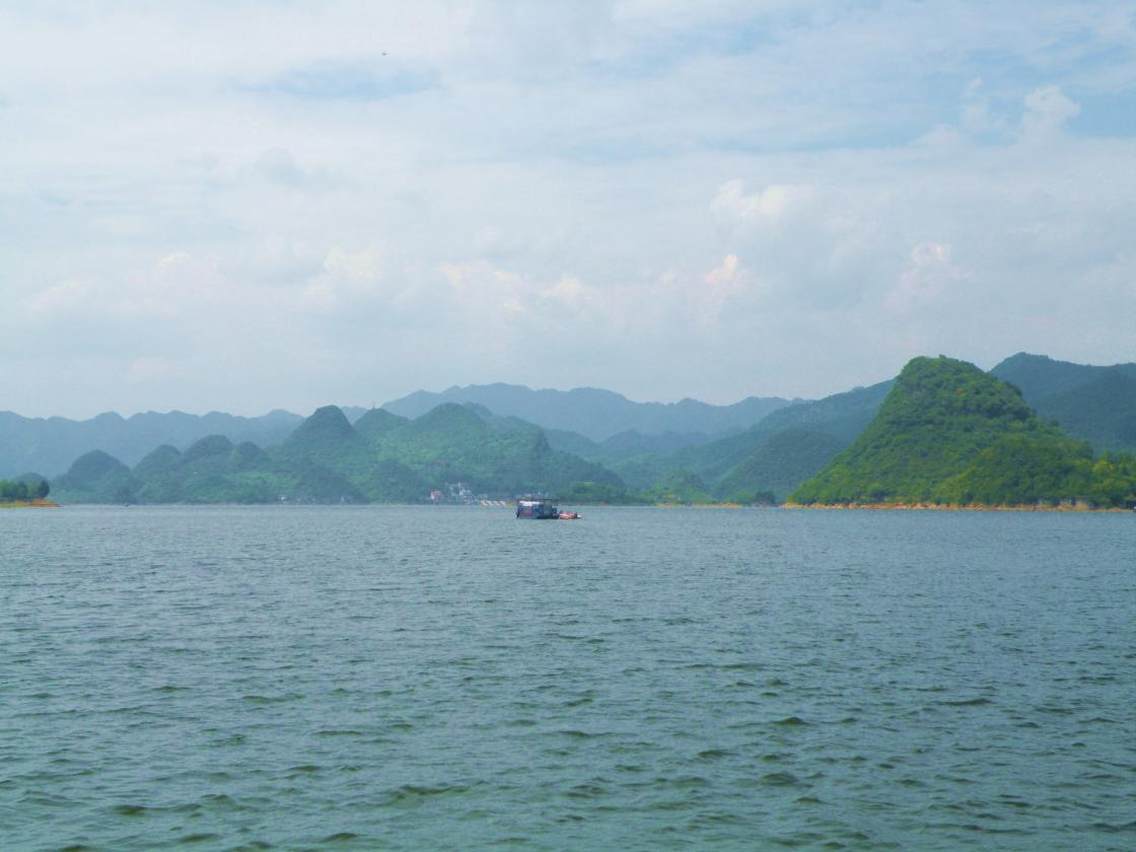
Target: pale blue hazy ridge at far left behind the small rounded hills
{"points": [[52, 445]]}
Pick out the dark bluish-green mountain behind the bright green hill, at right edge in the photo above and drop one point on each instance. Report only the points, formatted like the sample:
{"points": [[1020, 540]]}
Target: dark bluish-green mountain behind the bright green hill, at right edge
{"points": [[1095, 404]]}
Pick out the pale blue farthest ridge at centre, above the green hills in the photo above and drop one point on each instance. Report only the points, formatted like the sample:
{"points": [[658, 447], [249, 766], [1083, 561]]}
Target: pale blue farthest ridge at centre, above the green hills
{"points": [[596, 414]]}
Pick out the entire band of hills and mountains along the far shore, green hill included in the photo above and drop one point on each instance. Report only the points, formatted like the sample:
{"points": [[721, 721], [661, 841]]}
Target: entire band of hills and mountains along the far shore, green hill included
{"points": [[947, 435]]}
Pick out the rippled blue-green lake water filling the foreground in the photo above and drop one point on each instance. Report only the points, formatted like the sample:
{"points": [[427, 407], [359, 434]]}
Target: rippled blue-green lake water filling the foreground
{"points": [[644, 679]]}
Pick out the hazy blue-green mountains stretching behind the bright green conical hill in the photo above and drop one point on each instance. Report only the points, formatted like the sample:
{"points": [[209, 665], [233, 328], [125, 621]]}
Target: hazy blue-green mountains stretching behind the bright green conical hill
{"points": [[764, 460]]}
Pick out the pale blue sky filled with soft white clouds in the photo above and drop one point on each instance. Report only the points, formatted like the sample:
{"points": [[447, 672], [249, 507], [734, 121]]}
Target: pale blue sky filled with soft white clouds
{"points": [[245, 206]]}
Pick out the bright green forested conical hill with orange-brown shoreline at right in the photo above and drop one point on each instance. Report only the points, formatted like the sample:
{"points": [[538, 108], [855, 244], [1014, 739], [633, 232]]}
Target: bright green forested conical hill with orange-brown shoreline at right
{"points": [[950, 435]]}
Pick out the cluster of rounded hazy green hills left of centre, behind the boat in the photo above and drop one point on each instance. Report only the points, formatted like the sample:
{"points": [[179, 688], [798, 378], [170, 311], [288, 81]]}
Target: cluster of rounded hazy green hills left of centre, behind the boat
{"points": [[382, 458]]}
